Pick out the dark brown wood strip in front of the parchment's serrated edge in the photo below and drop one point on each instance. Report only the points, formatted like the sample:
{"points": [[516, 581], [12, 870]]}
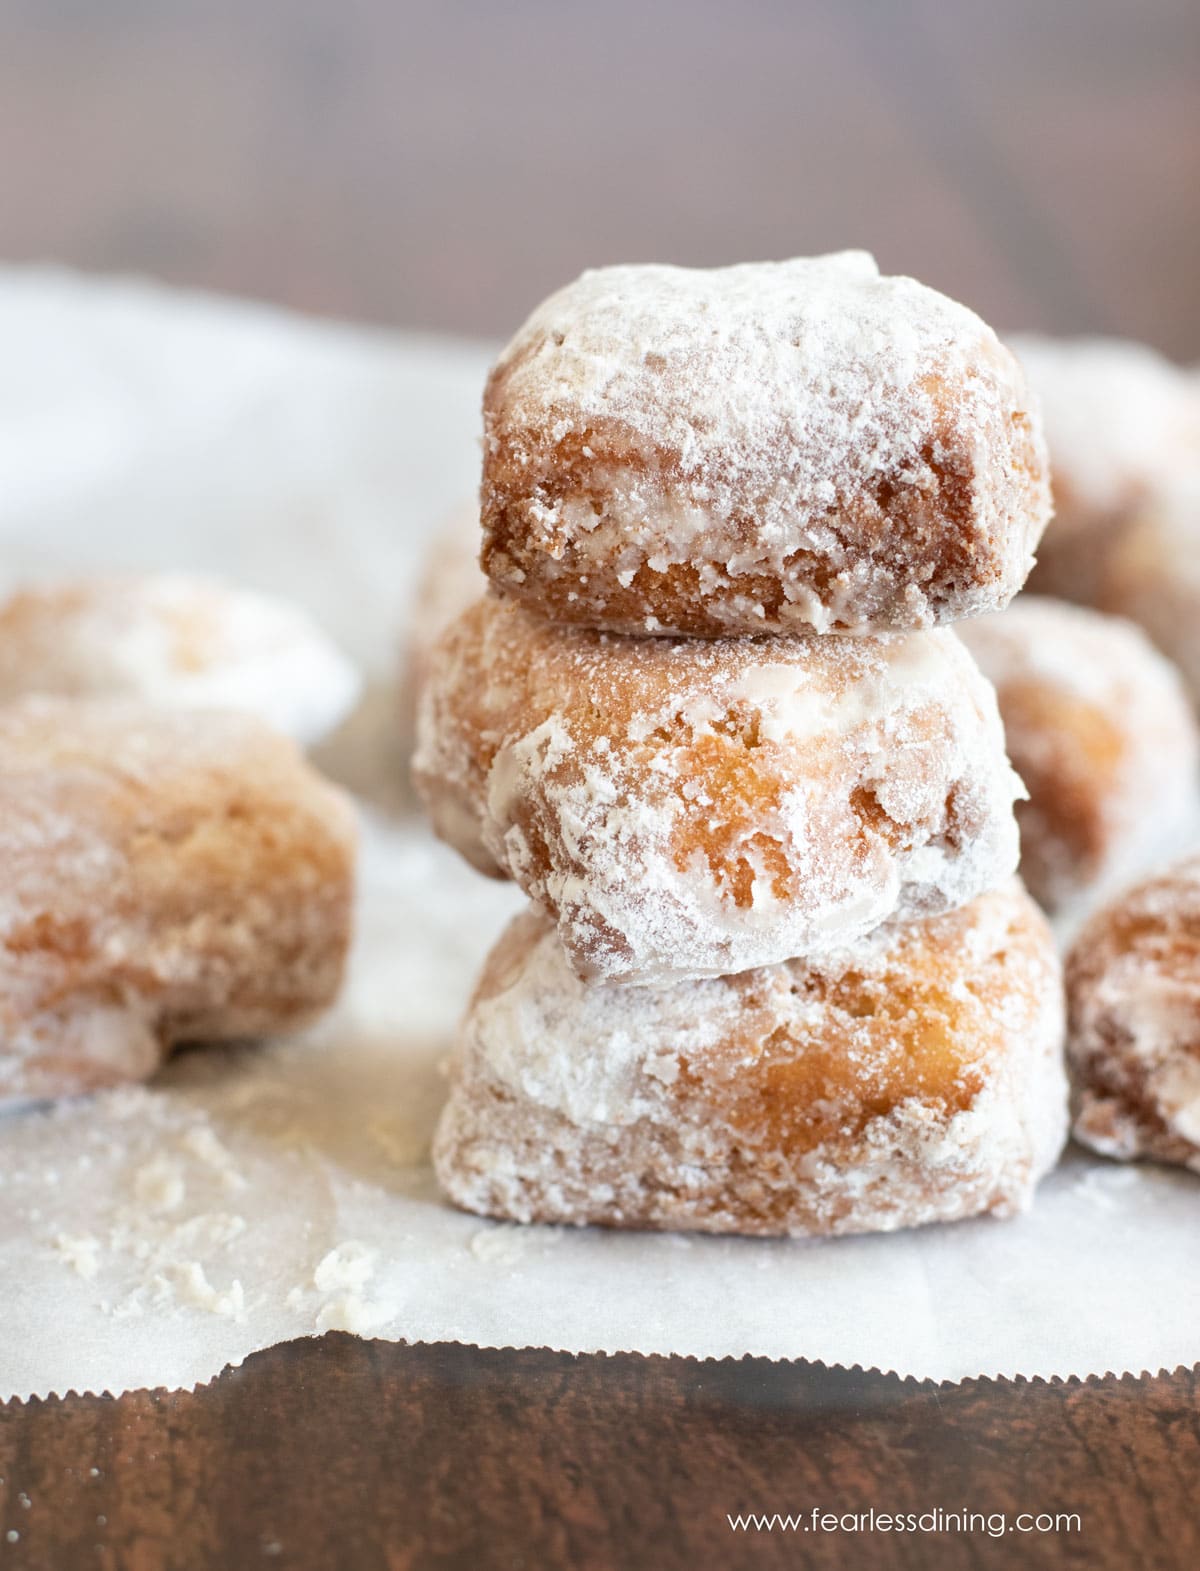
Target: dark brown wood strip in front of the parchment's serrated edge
{"points": [[368, 1456]]}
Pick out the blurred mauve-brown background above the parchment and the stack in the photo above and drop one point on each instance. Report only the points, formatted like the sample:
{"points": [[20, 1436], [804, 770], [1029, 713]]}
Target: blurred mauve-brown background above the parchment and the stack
{"points": [[444, 166]]}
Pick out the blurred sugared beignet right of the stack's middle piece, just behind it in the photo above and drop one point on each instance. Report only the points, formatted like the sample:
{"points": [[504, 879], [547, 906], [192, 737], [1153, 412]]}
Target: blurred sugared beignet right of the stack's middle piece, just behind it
{"points": [[1100, 731]]}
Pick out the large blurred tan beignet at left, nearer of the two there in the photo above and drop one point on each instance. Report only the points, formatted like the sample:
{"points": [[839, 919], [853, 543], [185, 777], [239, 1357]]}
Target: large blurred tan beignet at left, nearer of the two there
{"points": [[169, 877]]}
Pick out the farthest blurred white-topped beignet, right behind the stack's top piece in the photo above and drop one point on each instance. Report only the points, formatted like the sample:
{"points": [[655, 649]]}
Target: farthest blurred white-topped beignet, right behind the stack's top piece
{"points": [[1121, 422]]}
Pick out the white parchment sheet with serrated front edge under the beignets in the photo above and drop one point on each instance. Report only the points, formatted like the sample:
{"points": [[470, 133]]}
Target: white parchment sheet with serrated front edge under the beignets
{"points": [[152, 1237]]}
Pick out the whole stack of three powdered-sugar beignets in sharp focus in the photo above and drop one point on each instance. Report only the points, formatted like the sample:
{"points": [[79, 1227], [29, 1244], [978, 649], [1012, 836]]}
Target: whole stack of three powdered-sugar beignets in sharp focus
{"points": [[780, 978]]}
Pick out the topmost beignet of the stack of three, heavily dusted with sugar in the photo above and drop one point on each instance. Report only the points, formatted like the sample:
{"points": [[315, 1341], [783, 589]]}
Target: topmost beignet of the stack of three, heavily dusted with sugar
{"points": [[759, 449]]}
